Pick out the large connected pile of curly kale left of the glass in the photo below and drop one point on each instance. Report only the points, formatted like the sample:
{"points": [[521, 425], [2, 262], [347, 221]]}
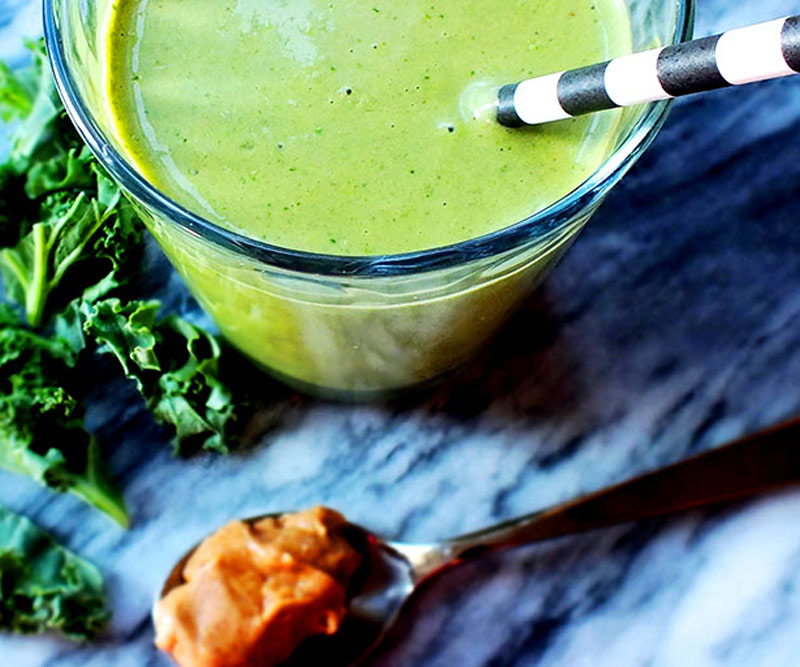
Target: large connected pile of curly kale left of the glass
{"points": [[70, 244]]}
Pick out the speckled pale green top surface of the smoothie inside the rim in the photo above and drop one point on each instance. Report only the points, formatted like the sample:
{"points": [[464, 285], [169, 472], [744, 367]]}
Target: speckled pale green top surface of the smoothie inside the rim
{"points": [[347, 127]]}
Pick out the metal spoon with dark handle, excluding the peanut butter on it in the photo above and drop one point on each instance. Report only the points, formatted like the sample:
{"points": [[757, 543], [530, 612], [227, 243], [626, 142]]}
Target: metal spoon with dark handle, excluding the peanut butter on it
{"points": [[393, 572]]}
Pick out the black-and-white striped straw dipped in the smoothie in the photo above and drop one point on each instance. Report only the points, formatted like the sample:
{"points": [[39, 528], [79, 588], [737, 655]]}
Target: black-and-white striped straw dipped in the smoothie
{"points": [[764, 51]]}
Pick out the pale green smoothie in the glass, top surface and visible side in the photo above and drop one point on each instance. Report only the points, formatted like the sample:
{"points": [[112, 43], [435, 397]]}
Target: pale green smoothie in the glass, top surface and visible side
{"points": [[355, 128]]}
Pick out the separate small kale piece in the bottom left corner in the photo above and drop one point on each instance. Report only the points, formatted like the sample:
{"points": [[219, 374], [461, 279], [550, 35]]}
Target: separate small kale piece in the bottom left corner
{"points": [[45, 587]]}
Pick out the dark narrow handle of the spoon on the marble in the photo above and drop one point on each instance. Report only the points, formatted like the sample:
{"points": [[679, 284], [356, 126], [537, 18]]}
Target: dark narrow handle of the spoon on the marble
{"points": [[756, 463]]}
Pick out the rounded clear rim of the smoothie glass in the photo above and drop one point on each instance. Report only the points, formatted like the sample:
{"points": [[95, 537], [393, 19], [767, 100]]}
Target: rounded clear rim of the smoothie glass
{"points": [[539, 226]]}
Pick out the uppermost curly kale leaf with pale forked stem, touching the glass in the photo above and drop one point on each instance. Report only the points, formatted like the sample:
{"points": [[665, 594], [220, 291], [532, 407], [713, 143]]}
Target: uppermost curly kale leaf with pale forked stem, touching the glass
{"points": [[62, 215]]}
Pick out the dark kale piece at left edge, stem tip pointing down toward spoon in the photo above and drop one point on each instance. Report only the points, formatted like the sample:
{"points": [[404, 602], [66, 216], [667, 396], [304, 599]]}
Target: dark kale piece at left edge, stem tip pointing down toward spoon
{"points": [[41, 423]]}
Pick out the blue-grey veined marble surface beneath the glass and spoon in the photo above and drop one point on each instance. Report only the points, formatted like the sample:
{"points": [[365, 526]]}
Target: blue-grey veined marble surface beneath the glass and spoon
{"points": [[671, 326]]}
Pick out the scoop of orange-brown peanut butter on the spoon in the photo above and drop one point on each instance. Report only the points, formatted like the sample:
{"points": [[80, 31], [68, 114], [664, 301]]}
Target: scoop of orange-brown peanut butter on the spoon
{"points": [[252, 593]]}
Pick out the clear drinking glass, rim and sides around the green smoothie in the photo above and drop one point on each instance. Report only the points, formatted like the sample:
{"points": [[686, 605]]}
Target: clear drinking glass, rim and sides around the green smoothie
{"points": [[350, 326]]}
